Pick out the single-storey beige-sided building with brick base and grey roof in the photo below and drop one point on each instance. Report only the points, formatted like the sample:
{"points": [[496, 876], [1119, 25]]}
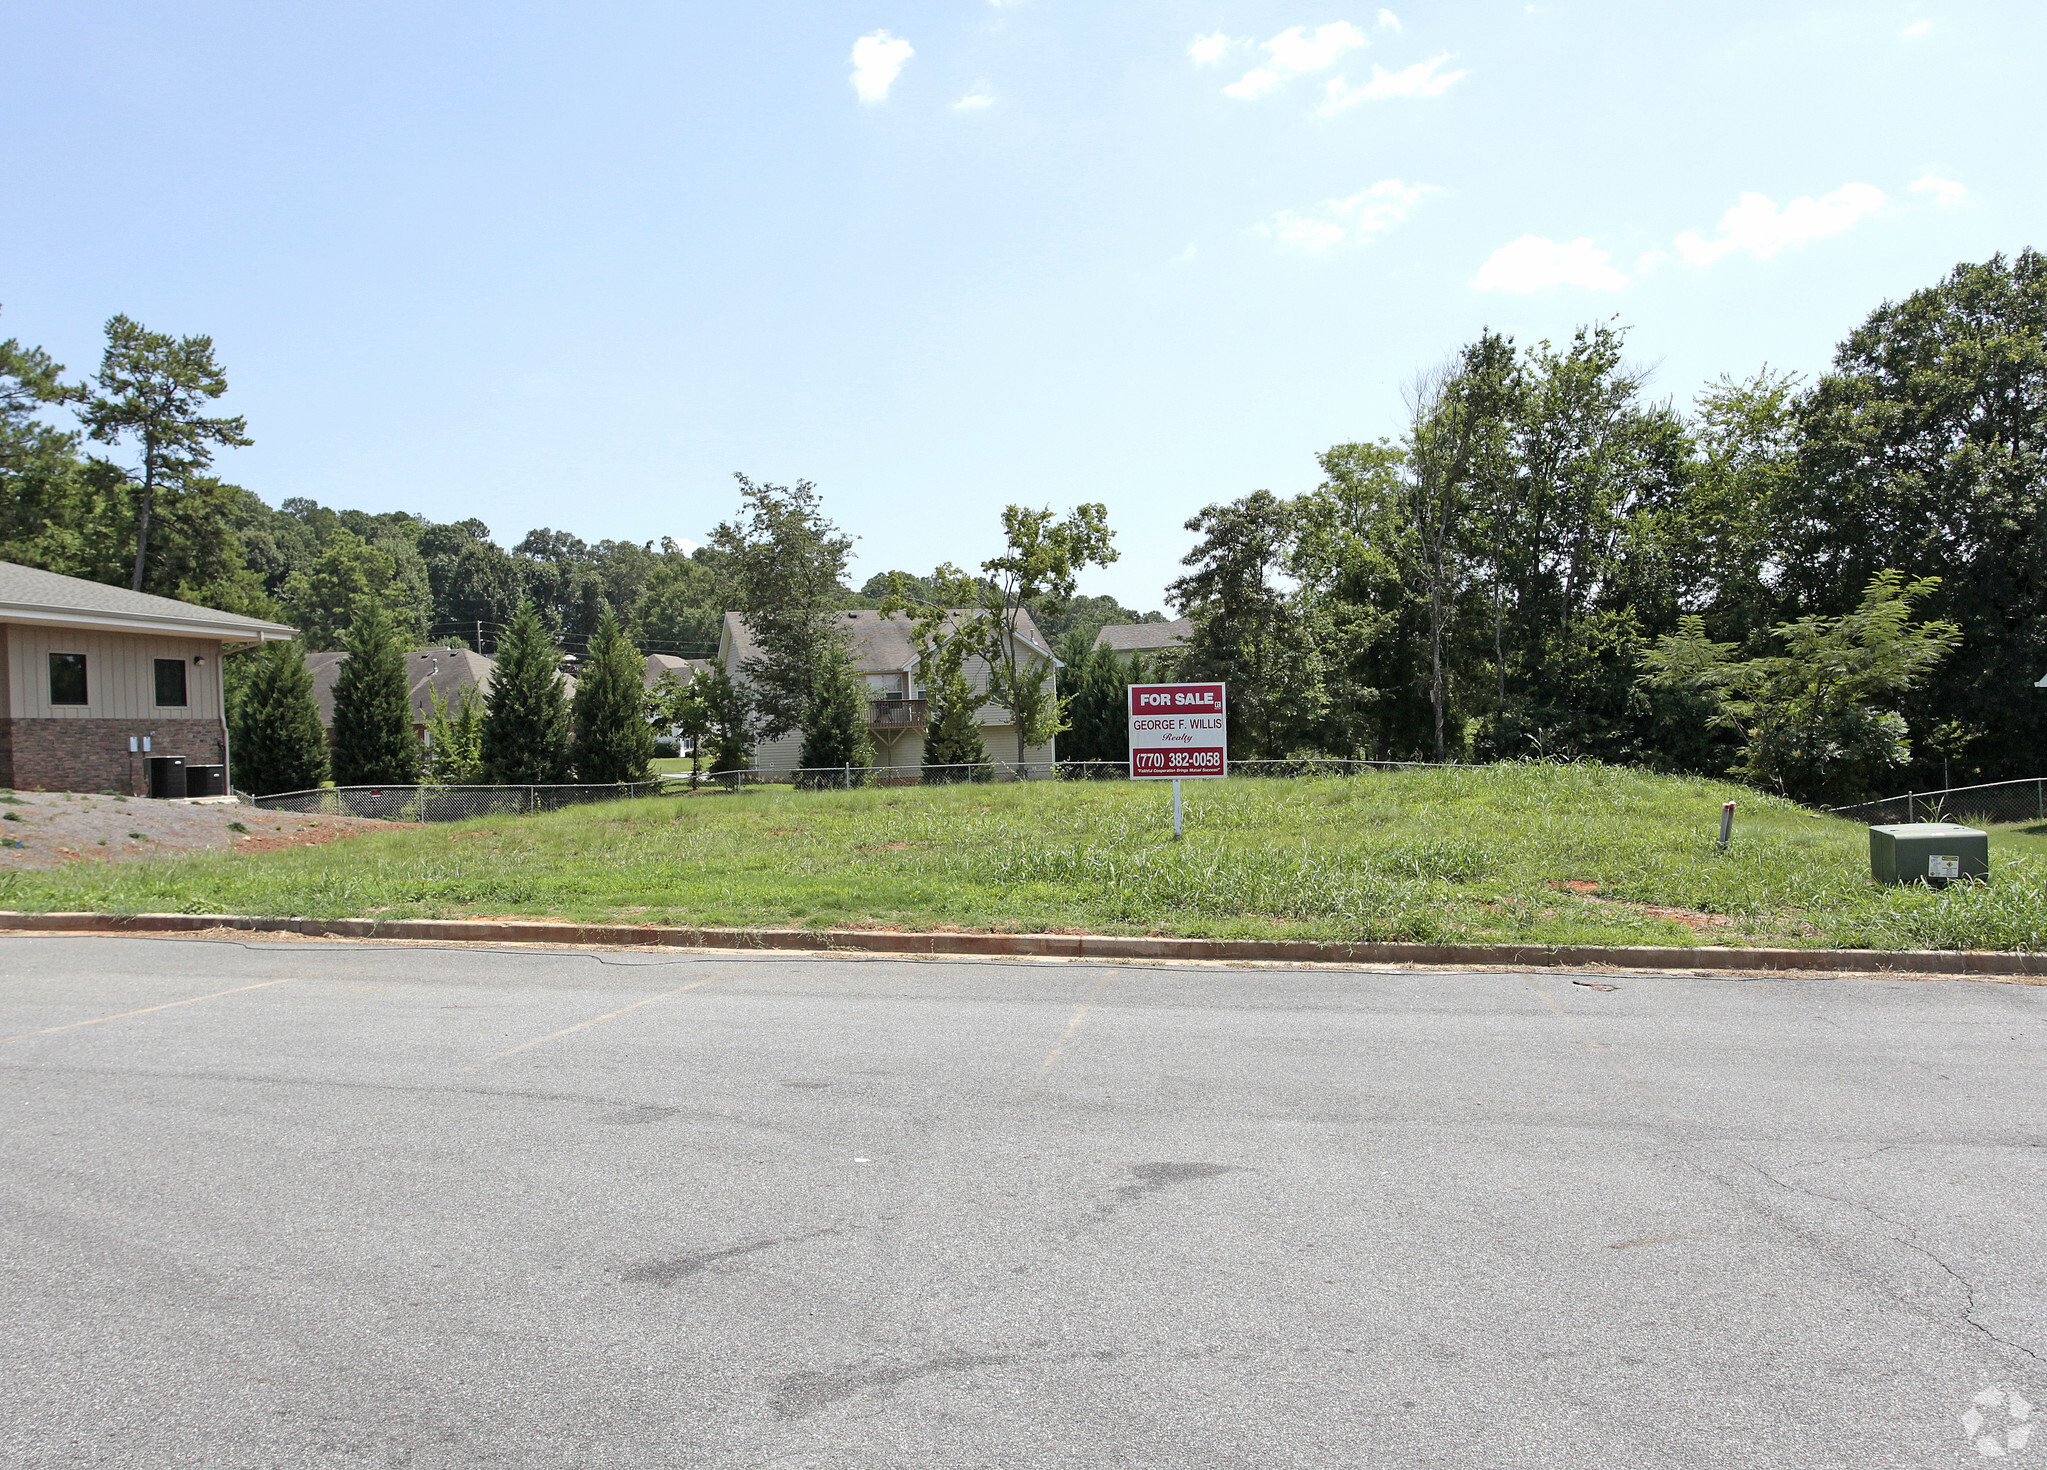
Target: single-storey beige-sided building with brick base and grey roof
{"points": [[101, 681]]}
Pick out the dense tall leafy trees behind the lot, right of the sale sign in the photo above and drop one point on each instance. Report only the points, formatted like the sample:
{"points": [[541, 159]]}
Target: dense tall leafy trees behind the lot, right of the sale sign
{"points": [[1827, 589]]}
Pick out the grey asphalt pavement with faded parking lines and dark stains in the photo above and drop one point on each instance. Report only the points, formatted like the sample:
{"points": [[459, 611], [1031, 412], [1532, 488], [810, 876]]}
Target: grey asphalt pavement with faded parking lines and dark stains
{"points": [[326, 1205]]}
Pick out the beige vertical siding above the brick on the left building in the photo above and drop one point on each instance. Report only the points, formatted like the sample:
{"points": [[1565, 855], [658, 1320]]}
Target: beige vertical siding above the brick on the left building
{"points": [[120, 675]]}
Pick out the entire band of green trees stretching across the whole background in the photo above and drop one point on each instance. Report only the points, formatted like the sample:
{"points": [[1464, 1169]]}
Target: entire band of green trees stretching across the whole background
{"points": [[1827, 589]]}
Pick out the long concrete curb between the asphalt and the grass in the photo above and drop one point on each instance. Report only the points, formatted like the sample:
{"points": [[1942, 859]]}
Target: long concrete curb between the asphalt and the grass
{"points": [[1065, 947]]}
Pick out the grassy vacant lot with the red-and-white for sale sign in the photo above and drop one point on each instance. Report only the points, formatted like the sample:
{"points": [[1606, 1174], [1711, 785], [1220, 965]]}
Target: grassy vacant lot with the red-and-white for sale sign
{"points": [[1567, 855]]}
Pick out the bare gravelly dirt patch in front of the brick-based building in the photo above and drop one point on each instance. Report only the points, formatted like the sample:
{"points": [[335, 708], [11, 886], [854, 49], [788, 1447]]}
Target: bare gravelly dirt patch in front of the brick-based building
{"points": [[54, 830]]}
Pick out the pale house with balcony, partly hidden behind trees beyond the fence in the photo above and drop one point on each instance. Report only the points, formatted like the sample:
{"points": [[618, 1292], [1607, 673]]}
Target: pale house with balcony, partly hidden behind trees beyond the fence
{"points": [[898, 707]]}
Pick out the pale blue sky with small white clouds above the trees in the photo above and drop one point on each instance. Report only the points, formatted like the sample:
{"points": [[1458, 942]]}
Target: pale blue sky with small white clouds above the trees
{"points": [[576, 265]]}
